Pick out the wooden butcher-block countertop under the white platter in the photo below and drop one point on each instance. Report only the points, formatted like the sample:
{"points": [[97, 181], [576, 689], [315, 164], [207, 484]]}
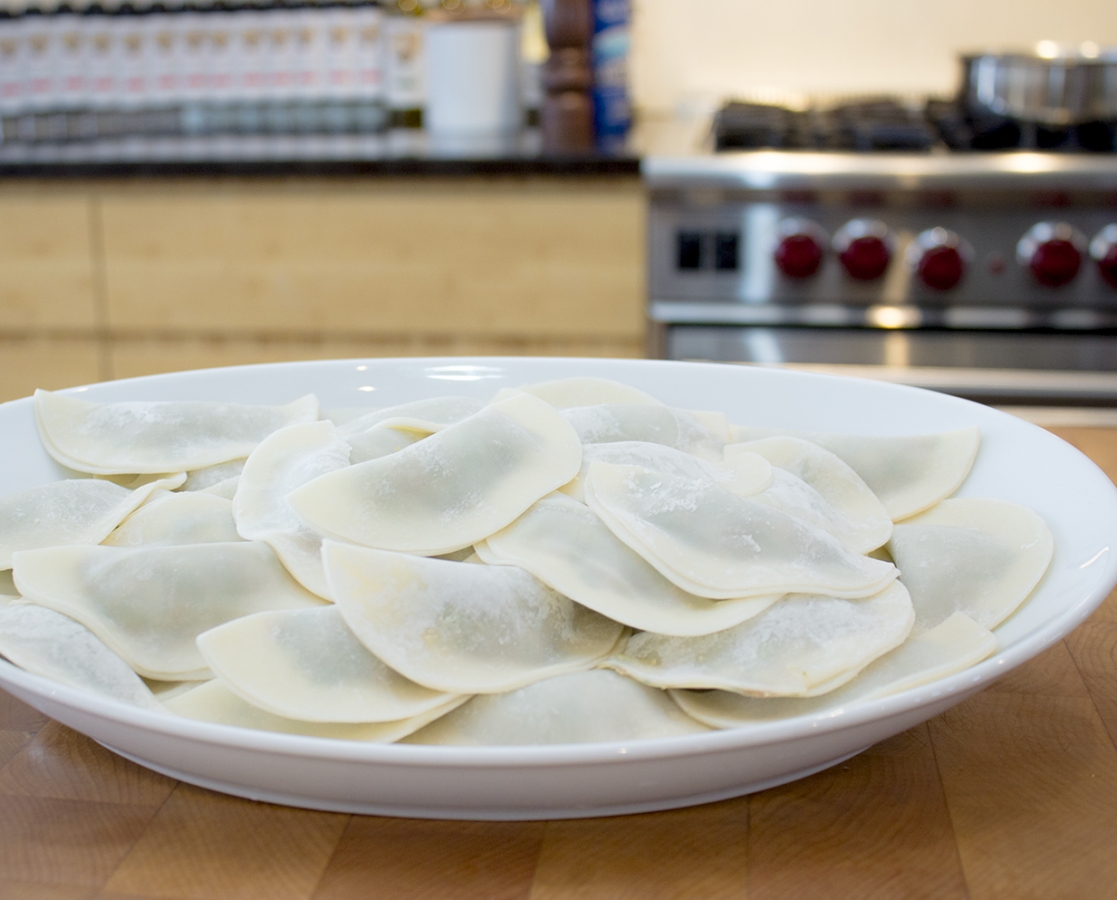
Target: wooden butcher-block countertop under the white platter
{"points": [[1011, 794]]}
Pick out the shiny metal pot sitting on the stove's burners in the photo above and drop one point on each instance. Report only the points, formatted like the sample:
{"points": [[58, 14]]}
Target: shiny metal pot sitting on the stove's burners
{"points": [[1056, 85]]}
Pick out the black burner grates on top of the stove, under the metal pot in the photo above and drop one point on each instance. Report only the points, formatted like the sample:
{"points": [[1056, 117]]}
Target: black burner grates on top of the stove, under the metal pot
{"points": [[890, 125]]}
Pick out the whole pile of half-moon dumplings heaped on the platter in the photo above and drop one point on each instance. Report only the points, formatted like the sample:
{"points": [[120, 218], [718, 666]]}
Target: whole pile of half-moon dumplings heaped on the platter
{"points": [[571, 562]]}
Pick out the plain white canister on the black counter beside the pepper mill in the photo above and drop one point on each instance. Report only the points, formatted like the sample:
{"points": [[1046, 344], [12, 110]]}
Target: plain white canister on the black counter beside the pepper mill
{"points": [[473, 78]]}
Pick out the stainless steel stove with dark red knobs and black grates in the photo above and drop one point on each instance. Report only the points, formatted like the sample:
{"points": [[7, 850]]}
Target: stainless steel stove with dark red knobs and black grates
{"points": [[837, 240]]}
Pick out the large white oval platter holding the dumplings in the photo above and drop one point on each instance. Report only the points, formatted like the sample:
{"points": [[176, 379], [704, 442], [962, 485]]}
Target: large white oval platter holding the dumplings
{"points": [[1018, 462]]}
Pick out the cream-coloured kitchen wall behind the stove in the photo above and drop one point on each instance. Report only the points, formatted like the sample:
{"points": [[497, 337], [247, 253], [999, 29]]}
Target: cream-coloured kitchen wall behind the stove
{"points": [[692, 53]]}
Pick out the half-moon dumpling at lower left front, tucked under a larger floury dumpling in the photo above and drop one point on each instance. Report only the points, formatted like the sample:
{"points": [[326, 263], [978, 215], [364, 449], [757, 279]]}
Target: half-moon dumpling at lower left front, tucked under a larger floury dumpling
{"points": [[308, 665]]}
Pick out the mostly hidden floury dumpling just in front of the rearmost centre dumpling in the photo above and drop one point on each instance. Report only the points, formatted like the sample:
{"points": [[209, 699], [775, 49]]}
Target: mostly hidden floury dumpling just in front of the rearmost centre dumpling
{"points": [[703, 435]]}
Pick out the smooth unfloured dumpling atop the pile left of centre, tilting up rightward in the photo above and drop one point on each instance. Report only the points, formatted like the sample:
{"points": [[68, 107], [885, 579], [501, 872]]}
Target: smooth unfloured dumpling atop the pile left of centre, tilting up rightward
{"points": [[452, 490]]}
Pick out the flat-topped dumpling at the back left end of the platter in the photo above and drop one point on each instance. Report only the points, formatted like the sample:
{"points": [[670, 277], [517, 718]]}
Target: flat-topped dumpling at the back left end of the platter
{"points": [[157, 437]]}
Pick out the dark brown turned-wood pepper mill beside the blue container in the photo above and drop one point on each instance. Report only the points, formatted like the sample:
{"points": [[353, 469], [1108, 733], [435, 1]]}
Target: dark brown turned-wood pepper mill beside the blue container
{"points": [[567, 118]]}
